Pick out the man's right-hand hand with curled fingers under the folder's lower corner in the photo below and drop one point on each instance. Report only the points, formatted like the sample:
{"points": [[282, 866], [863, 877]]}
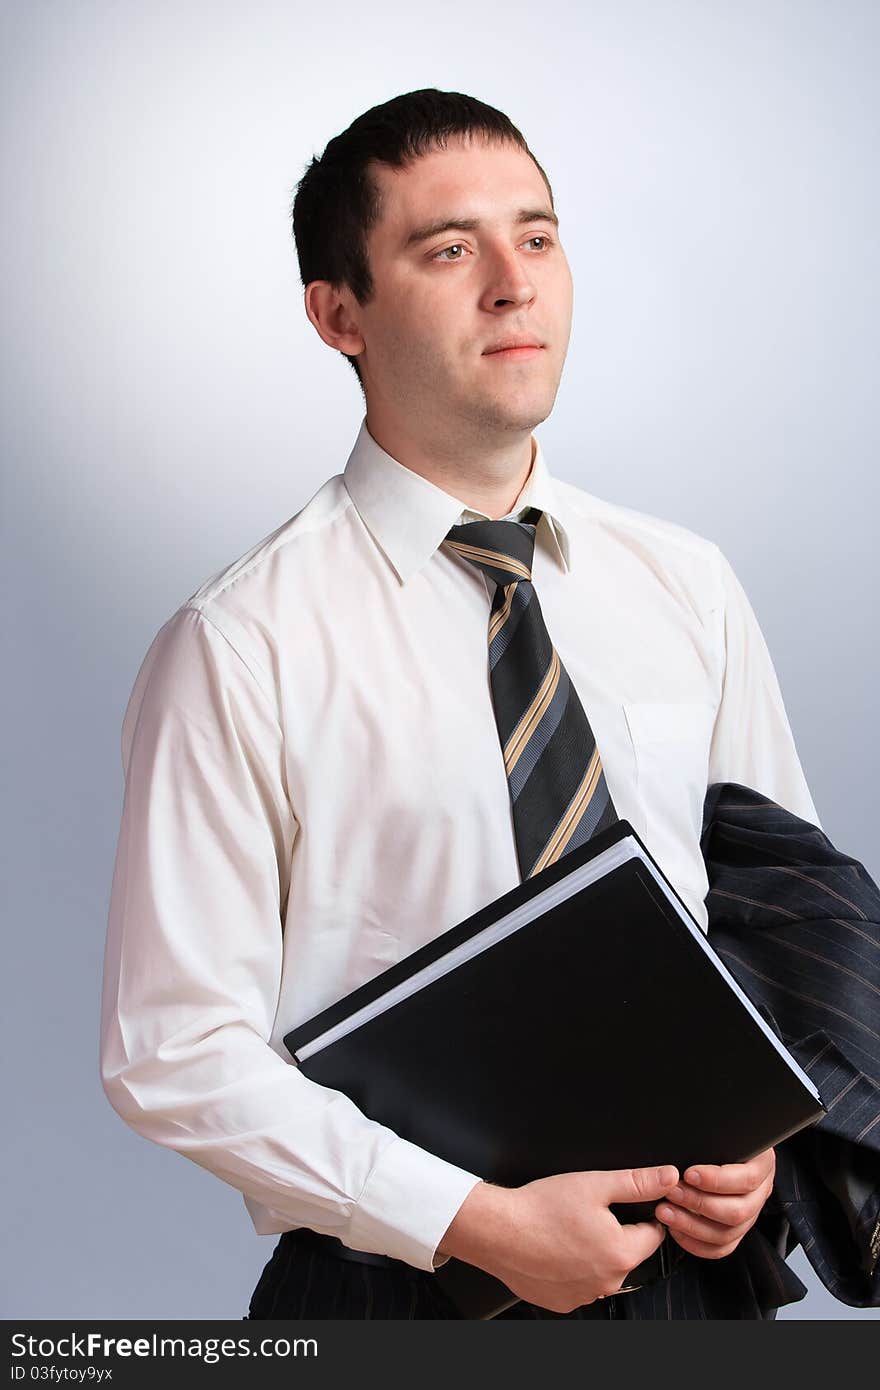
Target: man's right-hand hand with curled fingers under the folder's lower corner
{"points": [[714, 1207]]}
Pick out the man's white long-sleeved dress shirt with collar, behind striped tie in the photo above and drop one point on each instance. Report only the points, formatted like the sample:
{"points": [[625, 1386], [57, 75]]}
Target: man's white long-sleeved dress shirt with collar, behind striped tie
{"points": [[315, 787]]}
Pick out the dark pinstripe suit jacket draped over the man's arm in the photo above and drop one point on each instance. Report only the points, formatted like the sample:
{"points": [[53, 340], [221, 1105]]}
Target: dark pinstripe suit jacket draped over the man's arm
{"points": [[799, 925]]}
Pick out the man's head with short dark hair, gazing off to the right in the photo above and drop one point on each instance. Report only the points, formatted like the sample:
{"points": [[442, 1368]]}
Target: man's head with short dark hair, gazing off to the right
{"points": [[416, 305]]}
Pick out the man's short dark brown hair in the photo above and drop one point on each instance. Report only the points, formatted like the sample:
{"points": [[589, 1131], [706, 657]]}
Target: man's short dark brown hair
{"points": [[337, 202]]}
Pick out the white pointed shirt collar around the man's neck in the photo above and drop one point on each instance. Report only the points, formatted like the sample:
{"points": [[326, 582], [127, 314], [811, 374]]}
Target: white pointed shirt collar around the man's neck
{"points": [[409, 518]]}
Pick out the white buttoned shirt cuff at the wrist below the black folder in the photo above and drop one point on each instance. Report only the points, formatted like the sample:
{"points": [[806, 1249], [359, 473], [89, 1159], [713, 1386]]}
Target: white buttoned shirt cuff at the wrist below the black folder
{"points": [[407, 1206]]}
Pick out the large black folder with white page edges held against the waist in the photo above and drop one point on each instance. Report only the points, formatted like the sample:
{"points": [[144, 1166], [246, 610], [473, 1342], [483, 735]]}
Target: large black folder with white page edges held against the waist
{"points": [[582, 1021]]}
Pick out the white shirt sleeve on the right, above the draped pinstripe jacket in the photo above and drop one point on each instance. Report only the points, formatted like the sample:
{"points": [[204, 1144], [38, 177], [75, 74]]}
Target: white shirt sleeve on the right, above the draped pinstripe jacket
{"points": [[753, 743]]}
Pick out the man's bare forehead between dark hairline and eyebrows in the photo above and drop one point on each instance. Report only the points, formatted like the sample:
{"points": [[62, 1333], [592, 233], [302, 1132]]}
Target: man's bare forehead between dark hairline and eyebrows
{"points": [[475, 177]]}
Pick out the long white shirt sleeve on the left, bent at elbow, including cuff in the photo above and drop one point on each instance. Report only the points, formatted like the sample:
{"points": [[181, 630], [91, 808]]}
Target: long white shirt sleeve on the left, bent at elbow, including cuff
{"points": [[194, 967]]}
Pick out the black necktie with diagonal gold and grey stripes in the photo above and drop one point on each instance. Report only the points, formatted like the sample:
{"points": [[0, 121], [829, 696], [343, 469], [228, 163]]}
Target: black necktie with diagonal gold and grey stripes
{"points": [[555, 776]]}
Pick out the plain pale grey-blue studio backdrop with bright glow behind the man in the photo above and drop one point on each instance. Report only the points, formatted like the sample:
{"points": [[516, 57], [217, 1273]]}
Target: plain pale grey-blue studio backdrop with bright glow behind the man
{"points": [[166, 404]]}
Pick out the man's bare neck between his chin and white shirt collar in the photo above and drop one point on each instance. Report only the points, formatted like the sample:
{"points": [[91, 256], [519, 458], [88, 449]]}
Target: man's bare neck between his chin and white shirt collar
{"points": [[484, 479]]}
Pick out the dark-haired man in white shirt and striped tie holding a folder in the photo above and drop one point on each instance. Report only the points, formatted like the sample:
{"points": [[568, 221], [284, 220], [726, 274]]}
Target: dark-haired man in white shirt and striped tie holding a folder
{"points": [[315, 776]]}
